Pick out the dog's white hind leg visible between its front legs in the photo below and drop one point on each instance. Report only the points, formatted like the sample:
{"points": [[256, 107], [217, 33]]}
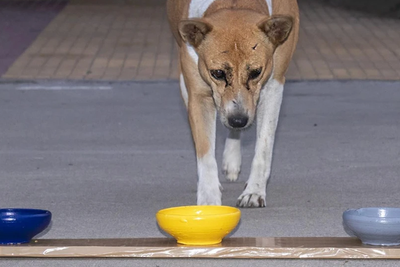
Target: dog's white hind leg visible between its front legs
{"points": [[232, 157]]}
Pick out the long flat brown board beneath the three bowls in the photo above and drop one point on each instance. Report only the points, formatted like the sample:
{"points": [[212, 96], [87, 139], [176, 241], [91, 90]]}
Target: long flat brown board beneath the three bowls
{"points": [[246, 247]]}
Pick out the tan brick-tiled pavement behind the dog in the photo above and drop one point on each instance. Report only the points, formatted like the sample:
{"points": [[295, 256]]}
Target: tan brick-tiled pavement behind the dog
{"points": [[130, 40]]}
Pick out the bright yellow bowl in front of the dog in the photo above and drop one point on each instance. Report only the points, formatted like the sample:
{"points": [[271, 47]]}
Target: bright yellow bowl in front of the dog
{"points": [[198, 225]]}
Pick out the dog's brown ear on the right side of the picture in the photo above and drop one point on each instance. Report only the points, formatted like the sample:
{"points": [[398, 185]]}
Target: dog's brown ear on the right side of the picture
{"points": [[277, 28]]}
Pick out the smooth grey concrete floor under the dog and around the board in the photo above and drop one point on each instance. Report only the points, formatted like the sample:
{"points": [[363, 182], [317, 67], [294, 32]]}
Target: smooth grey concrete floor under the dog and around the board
{"points": [[104, 157]]}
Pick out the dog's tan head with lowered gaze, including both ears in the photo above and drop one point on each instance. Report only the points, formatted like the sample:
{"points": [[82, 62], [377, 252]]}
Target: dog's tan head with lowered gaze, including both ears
{"points": [[235, 50]]}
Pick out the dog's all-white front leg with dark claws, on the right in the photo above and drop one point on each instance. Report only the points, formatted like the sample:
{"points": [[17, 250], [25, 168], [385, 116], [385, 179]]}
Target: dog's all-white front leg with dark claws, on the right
{"points": [[267, 120]]}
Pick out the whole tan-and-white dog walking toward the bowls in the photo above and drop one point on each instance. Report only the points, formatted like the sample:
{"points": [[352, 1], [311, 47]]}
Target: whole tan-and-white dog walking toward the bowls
{"points": [[233, 58]]}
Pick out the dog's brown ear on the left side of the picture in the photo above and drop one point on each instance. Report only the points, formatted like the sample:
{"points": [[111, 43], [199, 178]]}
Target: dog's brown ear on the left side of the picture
{"points": [[193, 31]]}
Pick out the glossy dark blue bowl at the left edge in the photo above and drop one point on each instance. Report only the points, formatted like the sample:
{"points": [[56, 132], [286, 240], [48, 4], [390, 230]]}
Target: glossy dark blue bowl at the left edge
{"points": [[19, 226]]}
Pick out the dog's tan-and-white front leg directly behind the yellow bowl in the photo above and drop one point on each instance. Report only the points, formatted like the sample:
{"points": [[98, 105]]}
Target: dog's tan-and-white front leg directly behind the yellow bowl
{"points": [[202, 117]]}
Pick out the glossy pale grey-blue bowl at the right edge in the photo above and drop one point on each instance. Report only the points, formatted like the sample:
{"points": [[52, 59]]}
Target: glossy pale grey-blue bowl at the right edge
{"points": [[378, 226]]}
